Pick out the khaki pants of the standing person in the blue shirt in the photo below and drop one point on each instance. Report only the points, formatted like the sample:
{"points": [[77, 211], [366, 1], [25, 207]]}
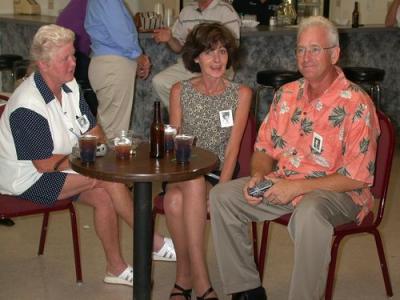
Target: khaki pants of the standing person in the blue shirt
{"points": [[113, 80]]}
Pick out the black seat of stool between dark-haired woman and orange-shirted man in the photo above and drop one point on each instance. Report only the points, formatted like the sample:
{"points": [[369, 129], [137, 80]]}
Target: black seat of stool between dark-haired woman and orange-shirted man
{"points": [[276, 78]]}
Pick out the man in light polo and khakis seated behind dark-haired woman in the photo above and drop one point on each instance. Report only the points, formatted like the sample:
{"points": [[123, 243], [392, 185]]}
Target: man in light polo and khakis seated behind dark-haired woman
{"points": [[204, 11]]}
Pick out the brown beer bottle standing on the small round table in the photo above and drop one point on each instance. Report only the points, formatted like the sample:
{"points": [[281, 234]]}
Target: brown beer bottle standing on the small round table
{"points": [[157, 133]]}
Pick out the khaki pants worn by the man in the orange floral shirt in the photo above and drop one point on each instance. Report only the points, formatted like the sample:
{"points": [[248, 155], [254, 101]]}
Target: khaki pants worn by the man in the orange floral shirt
{"points": [[310, 227]]}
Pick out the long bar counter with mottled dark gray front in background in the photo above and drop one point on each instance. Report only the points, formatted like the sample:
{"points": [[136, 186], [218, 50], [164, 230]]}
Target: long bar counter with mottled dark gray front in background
{"points": [[261, 48]]}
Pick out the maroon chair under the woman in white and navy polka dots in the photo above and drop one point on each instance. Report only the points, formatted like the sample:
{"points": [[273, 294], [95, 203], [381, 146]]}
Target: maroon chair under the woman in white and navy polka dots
{"points": [[12, 206]]}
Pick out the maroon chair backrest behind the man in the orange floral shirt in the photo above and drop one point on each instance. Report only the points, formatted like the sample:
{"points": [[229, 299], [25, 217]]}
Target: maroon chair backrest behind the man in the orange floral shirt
{"points": [[383, 163]]}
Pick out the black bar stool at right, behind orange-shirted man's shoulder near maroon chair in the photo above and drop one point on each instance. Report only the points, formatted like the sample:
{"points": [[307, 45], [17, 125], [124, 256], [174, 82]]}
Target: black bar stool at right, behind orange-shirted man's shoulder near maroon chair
{"points": [[369, 79]]}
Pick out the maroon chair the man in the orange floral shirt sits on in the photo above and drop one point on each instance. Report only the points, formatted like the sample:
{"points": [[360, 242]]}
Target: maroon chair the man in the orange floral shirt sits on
{"points": [[371, 222]]}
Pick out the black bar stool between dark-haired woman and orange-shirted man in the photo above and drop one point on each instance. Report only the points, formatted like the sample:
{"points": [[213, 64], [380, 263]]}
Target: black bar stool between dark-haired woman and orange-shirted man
{"points": [[272, 79]]}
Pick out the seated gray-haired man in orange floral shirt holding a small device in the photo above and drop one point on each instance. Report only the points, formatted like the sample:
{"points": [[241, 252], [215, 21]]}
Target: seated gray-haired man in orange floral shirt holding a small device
{"points": [[318, 146]]}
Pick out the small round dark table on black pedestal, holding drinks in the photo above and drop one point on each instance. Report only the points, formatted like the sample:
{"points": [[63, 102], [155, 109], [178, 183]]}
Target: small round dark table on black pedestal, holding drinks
{"points": [[142, 171]]}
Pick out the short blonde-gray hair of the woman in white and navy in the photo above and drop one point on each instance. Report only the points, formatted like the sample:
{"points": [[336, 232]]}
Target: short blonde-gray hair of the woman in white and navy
{"points": [[48, 39]]}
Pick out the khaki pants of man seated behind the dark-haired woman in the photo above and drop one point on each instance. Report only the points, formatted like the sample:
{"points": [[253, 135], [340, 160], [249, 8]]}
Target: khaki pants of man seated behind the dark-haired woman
{"points": [[163, 81]]}
